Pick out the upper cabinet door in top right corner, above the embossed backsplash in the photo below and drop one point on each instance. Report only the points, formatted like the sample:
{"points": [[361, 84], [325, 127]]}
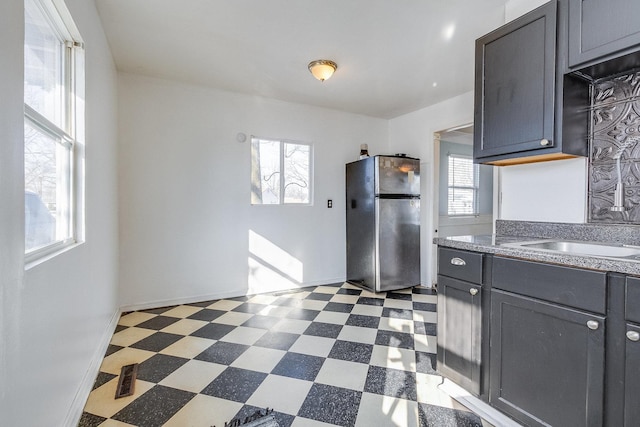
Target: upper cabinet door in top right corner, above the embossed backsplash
{"points": [[600, 29]]}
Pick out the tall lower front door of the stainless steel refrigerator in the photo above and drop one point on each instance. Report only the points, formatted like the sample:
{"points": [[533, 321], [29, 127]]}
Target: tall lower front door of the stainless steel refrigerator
{"points": [[398, 243]]}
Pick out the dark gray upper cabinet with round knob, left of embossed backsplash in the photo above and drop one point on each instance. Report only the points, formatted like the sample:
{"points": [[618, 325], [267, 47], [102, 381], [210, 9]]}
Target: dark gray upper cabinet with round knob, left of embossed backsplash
{"points": [[526, 110]]}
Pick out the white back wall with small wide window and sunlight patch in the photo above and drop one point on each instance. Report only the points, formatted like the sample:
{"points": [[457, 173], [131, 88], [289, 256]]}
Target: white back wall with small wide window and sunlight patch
{"points": [[188, 230]]}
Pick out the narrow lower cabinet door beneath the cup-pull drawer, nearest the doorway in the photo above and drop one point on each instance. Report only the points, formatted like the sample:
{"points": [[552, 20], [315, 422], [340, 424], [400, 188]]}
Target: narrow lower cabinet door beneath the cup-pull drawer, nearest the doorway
{"points": [[459, 332]]}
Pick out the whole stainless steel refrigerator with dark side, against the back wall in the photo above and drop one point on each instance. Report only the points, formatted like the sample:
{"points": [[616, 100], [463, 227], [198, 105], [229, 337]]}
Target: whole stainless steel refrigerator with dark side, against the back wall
{"points": [[383, 222]]}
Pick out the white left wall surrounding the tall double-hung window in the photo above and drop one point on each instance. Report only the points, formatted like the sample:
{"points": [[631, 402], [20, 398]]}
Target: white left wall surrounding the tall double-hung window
{"points": [[55, 318]]}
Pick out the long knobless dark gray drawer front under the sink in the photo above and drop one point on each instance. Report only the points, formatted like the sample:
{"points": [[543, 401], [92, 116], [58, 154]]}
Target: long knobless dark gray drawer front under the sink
{"points": [[572, 287]]}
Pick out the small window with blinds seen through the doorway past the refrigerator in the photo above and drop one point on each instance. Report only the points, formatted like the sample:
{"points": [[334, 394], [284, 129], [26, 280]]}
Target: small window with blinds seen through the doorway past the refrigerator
{"points": [[463, 186]]}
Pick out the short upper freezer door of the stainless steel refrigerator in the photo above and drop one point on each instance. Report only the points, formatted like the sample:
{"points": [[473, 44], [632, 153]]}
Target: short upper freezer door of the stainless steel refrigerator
{"points": [[397, 175]]}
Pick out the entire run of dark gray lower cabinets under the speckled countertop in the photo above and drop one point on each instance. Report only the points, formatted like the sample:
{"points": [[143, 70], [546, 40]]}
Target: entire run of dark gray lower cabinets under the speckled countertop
{"points": [[546, 344]]}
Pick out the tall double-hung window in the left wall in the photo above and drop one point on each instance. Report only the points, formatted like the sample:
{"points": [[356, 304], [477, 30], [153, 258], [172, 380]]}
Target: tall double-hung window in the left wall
{"points": [[52, 80]]}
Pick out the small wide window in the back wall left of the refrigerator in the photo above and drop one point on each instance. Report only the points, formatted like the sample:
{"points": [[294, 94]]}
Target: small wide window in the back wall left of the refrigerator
{"points": [[280, 172]]}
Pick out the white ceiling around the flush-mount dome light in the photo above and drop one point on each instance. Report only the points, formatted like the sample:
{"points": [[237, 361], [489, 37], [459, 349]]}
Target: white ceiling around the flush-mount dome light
{"points": [[393, 56]]}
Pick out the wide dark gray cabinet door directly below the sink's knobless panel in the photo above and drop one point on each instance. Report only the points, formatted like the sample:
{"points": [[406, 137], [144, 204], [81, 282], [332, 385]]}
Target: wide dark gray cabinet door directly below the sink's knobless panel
{"points": [[547, 362]]}
